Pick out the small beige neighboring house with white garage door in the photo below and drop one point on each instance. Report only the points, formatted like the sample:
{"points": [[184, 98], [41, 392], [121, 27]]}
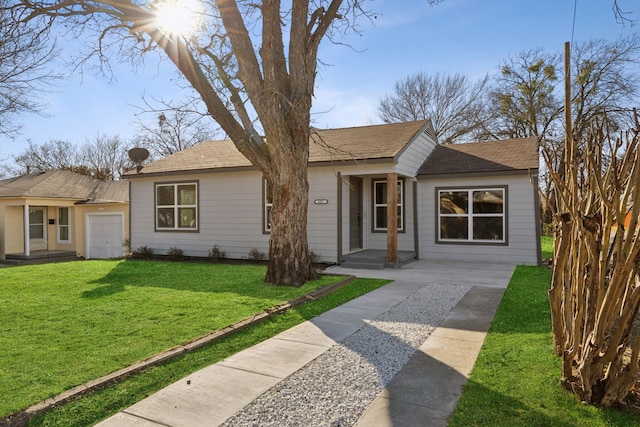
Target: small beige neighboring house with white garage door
{"points": [[61, 213]]}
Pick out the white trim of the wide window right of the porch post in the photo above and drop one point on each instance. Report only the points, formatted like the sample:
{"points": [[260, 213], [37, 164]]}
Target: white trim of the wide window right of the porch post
{"points": [[471, 215]]}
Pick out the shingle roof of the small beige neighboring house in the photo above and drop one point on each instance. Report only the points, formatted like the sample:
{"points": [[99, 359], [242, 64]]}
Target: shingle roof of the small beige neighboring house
{"points": [[63, 184]]}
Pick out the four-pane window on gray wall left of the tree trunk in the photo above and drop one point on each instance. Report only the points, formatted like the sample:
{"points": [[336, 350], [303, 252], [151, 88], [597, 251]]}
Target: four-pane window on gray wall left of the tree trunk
{"points": [[177, 206]]}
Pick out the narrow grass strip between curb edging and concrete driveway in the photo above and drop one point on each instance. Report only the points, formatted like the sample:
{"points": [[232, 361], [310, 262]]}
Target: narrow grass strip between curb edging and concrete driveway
{"points": [[104, 403]]}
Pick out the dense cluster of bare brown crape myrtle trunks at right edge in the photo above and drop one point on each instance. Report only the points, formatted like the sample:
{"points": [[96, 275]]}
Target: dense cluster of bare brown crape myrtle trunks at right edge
{"points": [[595, 288]]}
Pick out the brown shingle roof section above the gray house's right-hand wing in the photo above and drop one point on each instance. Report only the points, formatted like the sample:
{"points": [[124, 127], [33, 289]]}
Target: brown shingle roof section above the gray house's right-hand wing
{"points": [[481, 157]]}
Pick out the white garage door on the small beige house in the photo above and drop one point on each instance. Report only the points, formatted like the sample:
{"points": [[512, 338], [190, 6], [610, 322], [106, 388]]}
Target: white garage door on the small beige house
{"points": [[105, 235]]}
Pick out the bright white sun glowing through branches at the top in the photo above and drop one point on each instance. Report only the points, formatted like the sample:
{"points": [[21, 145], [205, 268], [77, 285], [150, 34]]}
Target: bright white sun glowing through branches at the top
{"points": [[178, 17]]}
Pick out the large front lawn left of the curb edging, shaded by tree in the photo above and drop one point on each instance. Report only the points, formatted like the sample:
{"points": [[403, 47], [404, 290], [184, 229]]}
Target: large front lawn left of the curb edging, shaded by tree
{"points": [[64, 324]]}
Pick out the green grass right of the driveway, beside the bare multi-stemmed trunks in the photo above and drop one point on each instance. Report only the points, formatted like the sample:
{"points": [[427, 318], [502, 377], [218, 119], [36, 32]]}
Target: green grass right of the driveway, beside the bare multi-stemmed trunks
{"points": [[515, 381]]}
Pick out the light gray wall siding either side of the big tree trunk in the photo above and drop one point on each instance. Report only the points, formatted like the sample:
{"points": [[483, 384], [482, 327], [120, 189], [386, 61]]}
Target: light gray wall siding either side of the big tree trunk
{"points": [[230, 210]]}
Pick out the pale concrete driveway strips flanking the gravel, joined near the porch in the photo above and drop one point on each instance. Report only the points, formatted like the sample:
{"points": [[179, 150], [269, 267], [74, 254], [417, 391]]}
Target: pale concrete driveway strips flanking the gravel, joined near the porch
{"points": [[424, 392]]}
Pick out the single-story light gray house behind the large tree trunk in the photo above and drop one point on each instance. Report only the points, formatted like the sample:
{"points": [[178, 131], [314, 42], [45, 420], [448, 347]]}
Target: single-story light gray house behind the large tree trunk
{"points": [[456, 202]]}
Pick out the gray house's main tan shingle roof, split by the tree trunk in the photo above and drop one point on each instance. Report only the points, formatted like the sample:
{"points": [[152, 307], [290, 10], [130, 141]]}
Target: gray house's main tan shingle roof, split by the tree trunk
{"points": [[355, 143]]}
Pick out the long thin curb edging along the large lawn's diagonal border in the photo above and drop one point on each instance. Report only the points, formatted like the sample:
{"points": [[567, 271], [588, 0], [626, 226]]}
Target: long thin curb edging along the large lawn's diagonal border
{"points": [[21, 418]]}
